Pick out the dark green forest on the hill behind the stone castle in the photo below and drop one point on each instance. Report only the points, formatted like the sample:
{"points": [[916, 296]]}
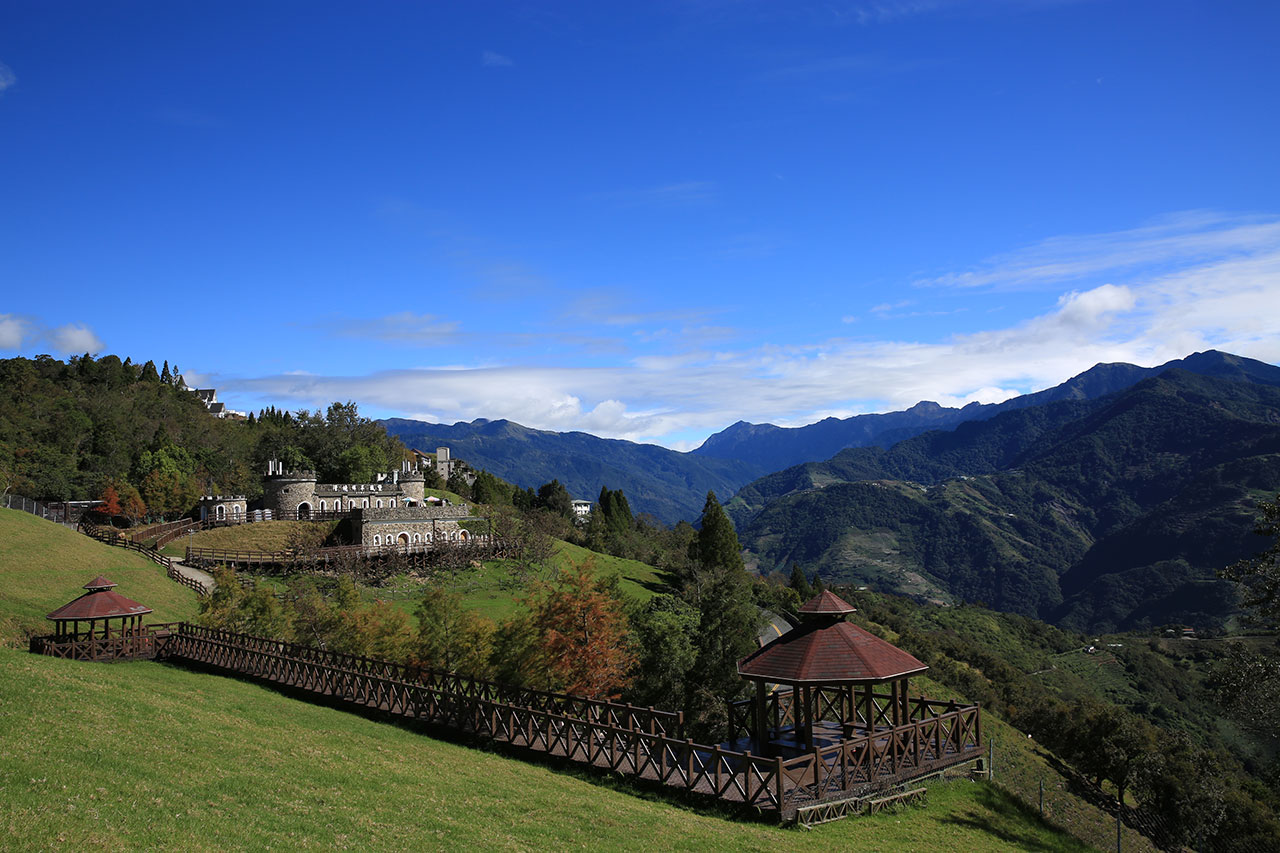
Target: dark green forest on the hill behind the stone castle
{"points": [[68, 431]]}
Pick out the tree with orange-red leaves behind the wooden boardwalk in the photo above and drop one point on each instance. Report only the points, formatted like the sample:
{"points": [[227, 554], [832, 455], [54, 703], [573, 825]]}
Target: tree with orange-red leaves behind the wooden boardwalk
{"points": [[586, 640]]}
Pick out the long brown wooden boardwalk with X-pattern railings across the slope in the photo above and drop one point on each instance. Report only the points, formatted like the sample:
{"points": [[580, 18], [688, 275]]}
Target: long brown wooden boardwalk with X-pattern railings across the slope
{"points": [[638, 742]]}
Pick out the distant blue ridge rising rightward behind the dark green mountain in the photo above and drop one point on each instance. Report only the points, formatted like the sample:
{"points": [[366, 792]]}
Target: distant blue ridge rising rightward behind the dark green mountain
{"points": [[776, 448]]}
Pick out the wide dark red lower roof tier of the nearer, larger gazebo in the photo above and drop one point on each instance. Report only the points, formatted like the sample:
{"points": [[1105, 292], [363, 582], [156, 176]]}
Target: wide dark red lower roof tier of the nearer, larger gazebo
{"points": [[829, 654]]}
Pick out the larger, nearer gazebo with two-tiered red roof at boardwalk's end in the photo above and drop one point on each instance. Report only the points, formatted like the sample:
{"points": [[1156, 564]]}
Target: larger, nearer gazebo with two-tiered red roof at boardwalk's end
{"points": [[831, 668]]}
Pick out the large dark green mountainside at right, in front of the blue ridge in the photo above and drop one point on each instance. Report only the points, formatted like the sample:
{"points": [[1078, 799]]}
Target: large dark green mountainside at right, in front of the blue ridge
{"points": [[1103, 516]]}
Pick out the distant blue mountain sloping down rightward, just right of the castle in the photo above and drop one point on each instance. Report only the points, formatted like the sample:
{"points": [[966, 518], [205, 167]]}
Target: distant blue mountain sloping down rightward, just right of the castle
{"points": [[665, 483]]}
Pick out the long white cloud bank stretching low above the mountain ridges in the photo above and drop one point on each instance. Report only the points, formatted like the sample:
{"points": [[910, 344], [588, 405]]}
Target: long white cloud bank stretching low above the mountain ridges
{"points": [[1220, 295]]}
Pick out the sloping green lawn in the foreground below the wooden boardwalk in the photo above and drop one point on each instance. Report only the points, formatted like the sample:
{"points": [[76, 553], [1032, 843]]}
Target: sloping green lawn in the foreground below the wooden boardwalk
{"points": [[143, 755]]}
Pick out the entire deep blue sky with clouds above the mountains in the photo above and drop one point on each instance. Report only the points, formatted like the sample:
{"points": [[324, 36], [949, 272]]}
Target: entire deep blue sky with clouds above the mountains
{"points": [[643, 221]]}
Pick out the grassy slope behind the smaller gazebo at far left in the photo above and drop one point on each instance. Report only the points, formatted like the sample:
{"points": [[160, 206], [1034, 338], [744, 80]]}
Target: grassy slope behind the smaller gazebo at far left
{"points": [[45, 565]]}
